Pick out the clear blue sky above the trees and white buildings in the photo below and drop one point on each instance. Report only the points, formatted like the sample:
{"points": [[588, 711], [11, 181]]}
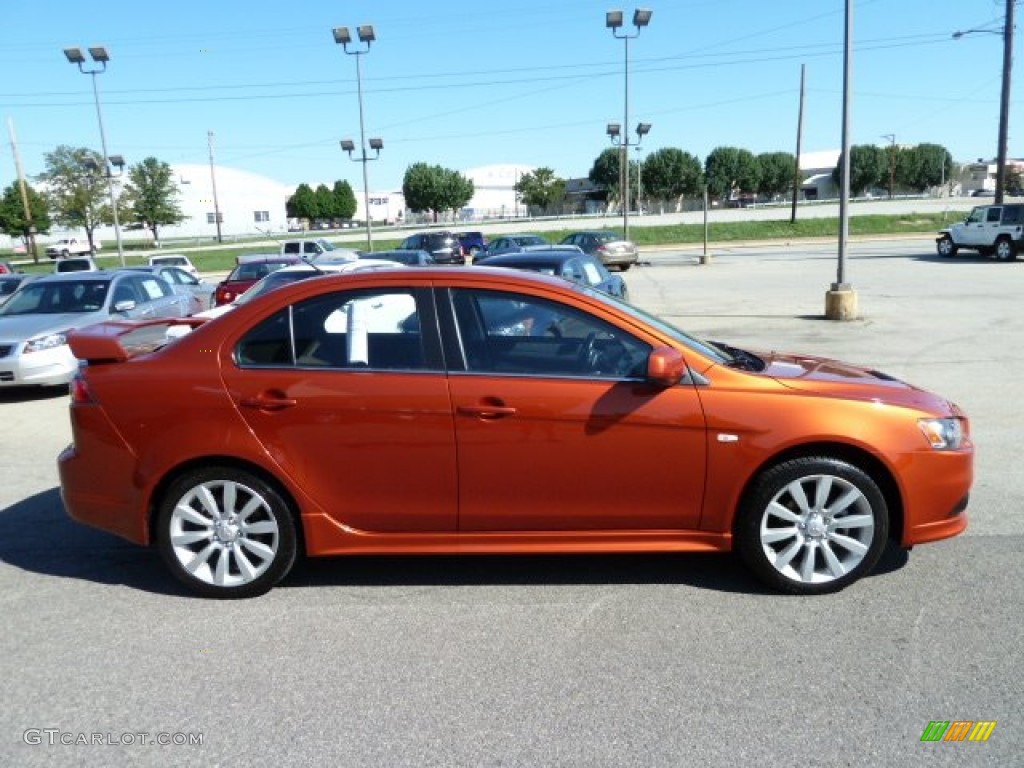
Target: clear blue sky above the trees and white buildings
{"points": [[465, 84]]}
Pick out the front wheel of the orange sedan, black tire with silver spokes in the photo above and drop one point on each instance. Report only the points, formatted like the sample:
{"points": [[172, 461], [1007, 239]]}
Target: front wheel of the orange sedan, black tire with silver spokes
{"points": [[803, 547]]}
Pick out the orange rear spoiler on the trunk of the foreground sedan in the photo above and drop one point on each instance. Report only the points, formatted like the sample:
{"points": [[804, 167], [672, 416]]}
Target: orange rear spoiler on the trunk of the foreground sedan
{"points": [[117, 342]]}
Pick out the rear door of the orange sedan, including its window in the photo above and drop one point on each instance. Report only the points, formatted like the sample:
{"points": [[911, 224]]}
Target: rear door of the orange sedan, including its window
{"points": [[351, 401]]}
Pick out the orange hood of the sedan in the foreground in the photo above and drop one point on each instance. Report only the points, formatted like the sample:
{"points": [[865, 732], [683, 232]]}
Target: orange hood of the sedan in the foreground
{"points": [[838, 379]]}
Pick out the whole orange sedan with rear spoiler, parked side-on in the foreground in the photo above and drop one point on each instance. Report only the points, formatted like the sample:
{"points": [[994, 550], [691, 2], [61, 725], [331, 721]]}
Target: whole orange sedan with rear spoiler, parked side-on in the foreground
{"points": [[468, 411]]}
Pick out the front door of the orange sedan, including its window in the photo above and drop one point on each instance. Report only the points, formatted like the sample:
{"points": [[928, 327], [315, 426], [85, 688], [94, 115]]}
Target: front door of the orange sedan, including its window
{"points": [[557, 429]]}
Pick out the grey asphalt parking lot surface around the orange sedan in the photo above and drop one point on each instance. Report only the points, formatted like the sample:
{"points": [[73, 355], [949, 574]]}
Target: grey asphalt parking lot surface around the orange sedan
{"points": [[654, 661]]}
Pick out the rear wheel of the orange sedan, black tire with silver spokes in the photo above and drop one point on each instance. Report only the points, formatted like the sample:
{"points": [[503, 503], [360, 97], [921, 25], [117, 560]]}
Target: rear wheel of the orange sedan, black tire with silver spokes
{"points": [[211, 548]]}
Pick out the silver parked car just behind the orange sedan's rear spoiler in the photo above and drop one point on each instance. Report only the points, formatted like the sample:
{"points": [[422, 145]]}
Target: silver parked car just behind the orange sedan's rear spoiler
{"points": [[35, 323]]}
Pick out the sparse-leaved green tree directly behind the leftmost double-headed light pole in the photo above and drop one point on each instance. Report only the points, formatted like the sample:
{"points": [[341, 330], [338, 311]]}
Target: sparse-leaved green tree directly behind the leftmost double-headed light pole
{"points": [[76, 189]]}
